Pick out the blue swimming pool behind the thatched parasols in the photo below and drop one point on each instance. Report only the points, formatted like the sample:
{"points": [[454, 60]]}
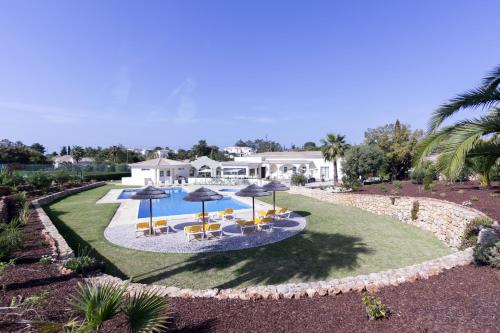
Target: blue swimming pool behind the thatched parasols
{"points": [[174, 205]]}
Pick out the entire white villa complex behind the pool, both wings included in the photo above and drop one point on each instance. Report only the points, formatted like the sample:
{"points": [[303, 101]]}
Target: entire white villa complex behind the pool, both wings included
{"points": [[271, 165]]}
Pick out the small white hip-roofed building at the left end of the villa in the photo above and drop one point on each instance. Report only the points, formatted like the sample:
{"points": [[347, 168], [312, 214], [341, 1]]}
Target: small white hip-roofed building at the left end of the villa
{"points": [[158, 171]]}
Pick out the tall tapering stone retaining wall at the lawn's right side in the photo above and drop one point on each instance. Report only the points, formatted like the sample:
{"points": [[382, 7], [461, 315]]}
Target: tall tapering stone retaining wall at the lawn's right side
{"points": [[446, 220]]}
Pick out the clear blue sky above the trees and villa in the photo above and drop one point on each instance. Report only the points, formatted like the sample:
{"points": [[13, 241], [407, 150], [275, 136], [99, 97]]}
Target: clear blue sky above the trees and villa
{"points": [[147, 73]]}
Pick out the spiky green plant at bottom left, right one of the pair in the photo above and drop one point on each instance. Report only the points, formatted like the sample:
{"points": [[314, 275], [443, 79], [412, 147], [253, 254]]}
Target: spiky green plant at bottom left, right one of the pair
{"points": [[146, 311]]}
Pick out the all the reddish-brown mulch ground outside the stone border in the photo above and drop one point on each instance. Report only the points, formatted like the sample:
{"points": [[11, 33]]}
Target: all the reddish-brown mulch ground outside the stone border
{"points": [[463, 299]]}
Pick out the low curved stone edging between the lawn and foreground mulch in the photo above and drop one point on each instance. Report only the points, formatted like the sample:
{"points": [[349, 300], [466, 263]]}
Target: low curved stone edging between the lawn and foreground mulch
{"points": [[370, 282]]}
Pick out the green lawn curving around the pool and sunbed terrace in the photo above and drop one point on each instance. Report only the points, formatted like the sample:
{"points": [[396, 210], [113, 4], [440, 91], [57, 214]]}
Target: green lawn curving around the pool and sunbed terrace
{"points": [[337, 242]]}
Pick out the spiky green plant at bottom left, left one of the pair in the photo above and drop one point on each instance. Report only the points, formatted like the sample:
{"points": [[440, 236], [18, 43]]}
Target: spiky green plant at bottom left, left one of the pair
{"points": [[98, 302]]}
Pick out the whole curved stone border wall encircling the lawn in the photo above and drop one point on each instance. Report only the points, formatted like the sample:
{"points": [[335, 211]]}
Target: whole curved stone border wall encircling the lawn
{"points": [[370, 282]]}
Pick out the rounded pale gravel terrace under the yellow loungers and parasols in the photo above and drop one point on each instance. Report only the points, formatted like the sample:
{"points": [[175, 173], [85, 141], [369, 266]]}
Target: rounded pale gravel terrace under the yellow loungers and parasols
{"points": [[175, 240]]}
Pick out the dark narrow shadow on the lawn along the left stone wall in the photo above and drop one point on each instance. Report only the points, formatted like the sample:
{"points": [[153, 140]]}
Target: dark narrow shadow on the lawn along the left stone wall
{"points": [[76, 242]]}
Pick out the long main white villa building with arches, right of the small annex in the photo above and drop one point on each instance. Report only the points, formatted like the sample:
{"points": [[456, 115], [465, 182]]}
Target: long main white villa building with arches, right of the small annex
{"points": [[272, 165]]}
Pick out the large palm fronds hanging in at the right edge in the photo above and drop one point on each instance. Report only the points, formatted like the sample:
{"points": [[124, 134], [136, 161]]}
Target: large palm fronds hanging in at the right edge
{"points": [[466, 139]]}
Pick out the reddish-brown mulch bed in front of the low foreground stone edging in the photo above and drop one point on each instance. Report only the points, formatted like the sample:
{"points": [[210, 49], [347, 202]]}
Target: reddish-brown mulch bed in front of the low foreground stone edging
{"points": [[463, 299]]}
